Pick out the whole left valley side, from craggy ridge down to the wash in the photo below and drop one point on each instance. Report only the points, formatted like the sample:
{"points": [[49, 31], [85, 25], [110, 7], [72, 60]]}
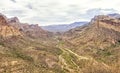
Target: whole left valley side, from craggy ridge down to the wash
{"points": [[26, 50]]}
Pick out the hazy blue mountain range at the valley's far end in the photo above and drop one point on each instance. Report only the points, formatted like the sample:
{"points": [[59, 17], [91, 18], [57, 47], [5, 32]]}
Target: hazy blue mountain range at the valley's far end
{"points": [[63, 27]]}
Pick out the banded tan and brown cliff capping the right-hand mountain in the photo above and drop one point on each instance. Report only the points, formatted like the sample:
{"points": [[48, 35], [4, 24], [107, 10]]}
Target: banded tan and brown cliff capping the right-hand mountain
{"points": [[107, 22]]}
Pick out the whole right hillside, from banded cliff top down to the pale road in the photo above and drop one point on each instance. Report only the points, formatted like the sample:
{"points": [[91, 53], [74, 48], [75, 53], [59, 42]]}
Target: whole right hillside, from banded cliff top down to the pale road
{"points": [[99, 39]]}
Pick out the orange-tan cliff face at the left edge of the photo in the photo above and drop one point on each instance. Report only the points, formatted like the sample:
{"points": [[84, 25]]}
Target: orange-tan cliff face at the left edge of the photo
{"points": [[6, 30]]}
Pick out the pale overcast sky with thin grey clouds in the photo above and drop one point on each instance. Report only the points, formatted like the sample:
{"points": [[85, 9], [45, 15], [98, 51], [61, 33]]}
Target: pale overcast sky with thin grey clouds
{"points": [[49, 12]]}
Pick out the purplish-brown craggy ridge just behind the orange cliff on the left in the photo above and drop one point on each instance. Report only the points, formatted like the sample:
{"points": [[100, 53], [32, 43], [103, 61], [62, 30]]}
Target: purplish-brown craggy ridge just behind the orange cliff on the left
{"points": [[33, 30]]}
